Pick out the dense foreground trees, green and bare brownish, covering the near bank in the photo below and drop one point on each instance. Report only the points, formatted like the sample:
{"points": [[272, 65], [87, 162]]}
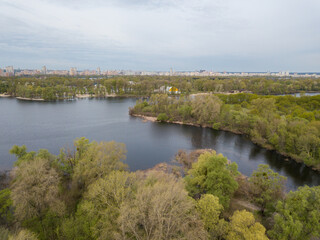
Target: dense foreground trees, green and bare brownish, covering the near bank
{"points": [[88, 193]]}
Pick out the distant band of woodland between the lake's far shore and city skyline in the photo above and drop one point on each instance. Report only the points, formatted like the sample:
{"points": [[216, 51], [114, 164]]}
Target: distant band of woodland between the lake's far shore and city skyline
{"points": [[53, 88]]}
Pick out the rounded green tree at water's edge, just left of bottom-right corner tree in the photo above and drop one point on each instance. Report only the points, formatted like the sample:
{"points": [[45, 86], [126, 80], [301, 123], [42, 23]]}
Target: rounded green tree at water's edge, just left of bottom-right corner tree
{"points": [[267, 187]]}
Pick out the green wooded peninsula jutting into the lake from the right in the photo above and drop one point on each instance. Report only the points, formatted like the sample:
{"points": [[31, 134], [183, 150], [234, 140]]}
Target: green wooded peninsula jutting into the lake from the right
{"points": [[288, 124]]}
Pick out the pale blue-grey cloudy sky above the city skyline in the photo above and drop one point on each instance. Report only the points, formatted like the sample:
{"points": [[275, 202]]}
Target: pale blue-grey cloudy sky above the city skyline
{"points": [[156, 35]]}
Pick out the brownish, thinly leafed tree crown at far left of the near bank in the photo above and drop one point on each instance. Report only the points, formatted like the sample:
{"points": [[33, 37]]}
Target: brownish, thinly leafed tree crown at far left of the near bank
{"points": [[35, 189]]}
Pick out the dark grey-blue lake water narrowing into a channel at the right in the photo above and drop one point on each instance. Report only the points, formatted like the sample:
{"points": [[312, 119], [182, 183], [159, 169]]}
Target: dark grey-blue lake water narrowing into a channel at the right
{"points": [[55, 125]]}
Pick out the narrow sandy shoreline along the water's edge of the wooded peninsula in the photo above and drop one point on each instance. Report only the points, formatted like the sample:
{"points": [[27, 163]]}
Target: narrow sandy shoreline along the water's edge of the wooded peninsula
{"points": [[267, 147]]}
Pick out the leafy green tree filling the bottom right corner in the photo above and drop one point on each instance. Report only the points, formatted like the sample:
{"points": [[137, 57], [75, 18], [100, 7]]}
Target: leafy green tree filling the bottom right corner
{"points": [[297, 217]]}
